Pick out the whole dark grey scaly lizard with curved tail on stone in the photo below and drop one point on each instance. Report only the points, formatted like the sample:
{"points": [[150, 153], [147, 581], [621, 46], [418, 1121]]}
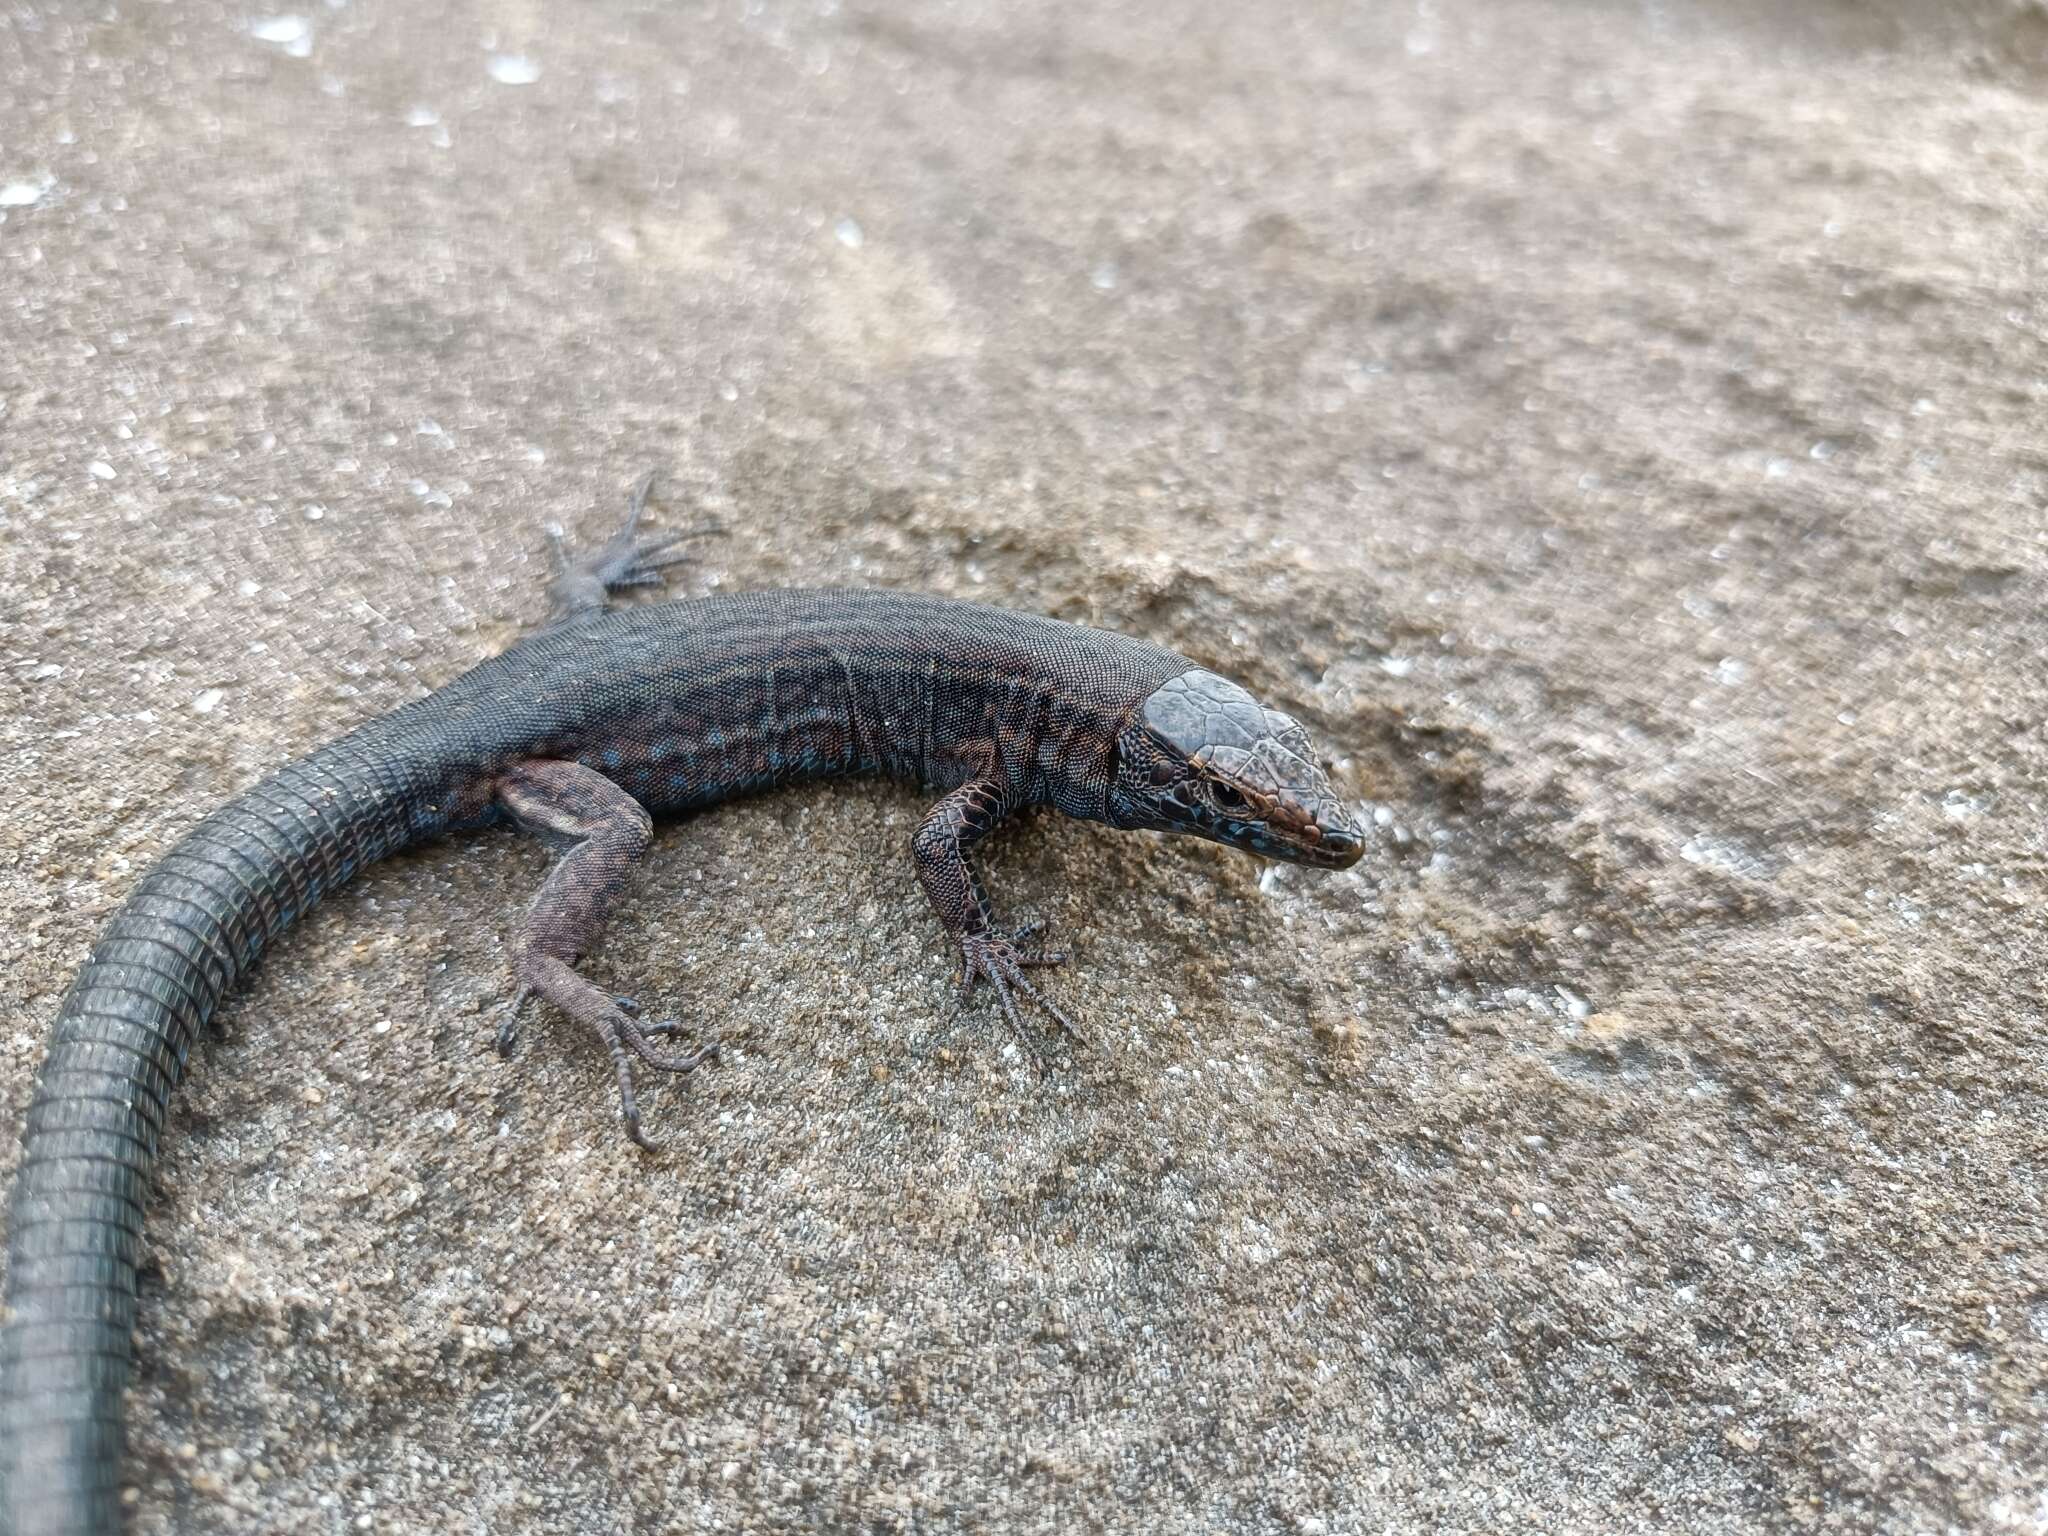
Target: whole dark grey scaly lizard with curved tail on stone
{"points": [[583, 734]]}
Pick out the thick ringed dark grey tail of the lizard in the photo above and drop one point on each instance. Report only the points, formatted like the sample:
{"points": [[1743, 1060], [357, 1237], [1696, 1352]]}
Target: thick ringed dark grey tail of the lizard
{"points": [[165, 962]]}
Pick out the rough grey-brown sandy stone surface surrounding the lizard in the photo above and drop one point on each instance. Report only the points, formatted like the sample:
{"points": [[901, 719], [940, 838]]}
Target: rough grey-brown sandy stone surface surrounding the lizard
{"points": [[1619, 431]]}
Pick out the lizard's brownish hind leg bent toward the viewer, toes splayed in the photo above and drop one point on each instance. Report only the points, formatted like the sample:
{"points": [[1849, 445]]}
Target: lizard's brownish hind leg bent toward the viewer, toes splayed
{"points": [[601, 833]]}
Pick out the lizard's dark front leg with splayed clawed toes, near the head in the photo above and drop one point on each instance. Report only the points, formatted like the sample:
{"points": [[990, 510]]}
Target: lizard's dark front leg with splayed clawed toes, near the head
{"points": [[941, 847]]}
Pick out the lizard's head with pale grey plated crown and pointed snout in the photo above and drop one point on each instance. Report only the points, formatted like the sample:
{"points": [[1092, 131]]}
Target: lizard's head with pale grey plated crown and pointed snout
{"points": [[1209, 759]]}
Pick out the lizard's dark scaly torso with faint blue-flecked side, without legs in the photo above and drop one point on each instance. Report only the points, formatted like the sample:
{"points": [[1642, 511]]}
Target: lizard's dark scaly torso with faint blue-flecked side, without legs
{"points": [[689, 703]]}
